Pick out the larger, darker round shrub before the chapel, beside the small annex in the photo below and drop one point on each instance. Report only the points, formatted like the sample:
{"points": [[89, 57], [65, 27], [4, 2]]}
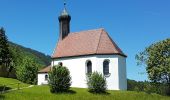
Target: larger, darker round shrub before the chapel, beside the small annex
{"points": [[59, 79]]}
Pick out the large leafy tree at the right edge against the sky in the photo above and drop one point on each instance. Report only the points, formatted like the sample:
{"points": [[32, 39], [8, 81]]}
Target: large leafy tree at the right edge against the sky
{"points": [[156, 57]]}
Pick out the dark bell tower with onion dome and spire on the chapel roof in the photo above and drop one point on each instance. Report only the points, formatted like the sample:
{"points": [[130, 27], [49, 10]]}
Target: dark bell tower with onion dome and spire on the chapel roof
{"points": [[64, 23]]}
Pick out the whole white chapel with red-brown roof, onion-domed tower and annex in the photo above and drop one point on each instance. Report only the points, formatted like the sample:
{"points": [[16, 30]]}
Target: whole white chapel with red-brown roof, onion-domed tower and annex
{"points": [[85, 52]]}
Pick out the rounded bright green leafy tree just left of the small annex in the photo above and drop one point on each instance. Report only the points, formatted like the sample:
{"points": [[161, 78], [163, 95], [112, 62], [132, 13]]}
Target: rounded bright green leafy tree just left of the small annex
{"points": [[27, 72]]}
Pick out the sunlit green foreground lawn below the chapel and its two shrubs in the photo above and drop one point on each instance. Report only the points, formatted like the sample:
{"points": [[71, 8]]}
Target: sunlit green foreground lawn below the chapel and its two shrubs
{"points": [[43, 93]]}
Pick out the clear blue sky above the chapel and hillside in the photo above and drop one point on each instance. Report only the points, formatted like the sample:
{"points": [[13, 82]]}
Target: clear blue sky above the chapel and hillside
{"points": [[132, 24]]}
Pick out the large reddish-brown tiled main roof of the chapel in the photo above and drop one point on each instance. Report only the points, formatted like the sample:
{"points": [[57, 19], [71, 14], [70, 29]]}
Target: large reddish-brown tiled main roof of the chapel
{"points": [[86, 43]]}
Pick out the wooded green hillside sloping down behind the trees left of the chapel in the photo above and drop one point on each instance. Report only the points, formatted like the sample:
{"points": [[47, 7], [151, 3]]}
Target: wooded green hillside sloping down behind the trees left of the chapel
{"points": [[19, 53]]}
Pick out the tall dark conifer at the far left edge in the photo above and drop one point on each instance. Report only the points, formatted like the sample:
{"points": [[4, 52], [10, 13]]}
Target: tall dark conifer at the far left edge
{"points": [[5, 55]]}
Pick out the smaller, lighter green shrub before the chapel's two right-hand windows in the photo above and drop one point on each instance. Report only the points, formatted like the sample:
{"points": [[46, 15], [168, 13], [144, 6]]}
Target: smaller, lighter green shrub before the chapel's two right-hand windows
{"points": [[96, 83]]}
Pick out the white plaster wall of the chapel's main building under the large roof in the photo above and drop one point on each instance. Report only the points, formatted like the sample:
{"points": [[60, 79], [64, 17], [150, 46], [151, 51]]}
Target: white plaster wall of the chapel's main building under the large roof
{"points": [[77, 68]]}
